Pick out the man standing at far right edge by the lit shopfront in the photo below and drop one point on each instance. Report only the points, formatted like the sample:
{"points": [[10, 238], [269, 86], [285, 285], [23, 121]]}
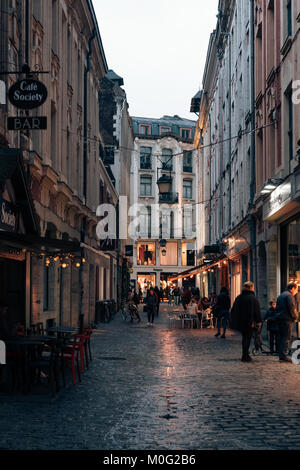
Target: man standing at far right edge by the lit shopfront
{"points": [[286, 315]]}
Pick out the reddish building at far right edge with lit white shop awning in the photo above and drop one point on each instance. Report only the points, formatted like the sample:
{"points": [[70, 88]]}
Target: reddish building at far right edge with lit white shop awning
{"points": [[278, 146]]}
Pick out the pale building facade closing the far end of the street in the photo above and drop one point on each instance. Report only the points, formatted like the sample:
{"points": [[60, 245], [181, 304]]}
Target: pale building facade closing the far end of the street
{"points": [[166, 224]]}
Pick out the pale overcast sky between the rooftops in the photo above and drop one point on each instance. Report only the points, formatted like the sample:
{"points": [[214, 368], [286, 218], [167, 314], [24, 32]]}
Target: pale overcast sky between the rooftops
{"points": [[159, 47]]}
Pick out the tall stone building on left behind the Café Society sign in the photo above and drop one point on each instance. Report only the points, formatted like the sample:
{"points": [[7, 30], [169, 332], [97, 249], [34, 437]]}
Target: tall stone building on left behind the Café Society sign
{"points": [[53, 180]]}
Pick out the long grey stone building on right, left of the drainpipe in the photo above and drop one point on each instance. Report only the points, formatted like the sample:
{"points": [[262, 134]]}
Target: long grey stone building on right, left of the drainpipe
{"points": [[223, 139]]}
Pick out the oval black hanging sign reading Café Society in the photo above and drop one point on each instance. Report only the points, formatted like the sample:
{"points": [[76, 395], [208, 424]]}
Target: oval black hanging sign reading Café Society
{"points": [[27, 94]]}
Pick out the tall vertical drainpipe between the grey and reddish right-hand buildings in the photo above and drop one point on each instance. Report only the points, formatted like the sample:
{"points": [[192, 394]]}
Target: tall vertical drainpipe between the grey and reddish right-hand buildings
{"points": [[252, 220]]}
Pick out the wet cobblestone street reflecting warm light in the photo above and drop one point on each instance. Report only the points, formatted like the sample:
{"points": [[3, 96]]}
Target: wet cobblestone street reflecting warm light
{"points": [[161, 389]]}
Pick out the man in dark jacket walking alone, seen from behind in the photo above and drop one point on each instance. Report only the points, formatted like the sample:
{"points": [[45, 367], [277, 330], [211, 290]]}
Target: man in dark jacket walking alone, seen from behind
{"points": [[245, 316]]}
